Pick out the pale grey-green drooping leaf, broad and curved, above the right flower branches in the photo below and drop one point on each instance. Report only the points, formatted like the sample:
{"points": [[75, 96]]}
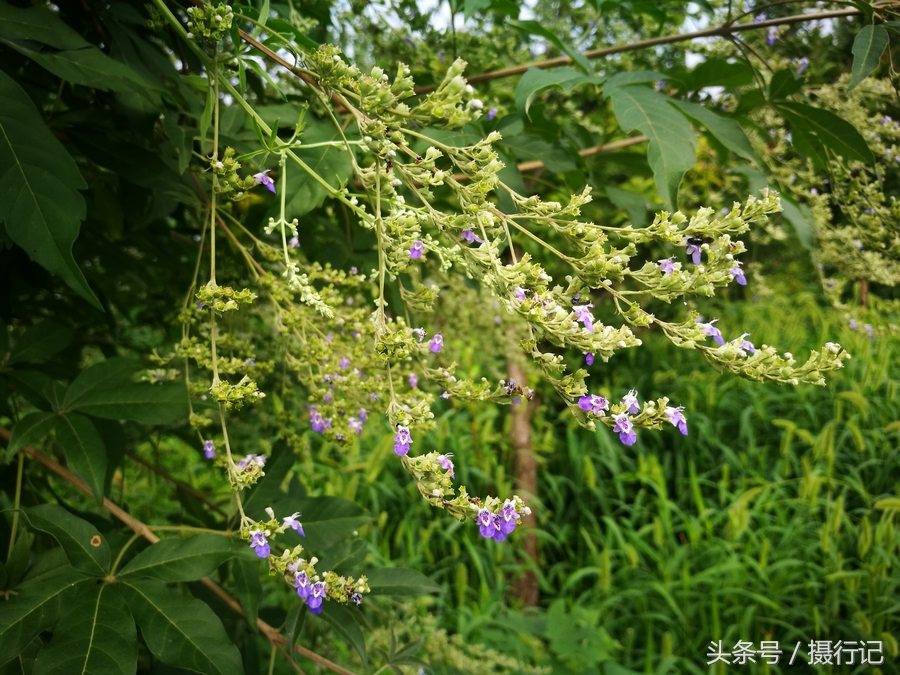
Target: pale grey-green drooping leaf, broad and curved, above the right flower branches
{"points": [[672, 143]]}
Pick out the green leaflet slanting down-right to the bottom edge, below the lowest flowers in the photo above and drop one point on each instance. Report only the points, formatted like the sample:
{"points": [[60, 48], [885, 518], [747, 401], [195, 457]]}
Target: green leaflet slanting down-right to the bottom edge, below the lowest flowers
{"points": [[181, 631]]}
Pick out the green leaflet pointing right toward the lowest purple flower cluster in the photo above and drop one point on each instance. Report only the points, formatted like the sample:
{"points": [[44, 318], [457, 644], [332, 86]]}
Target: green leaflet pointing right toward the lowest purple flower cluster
{"points": [[183, 559]]}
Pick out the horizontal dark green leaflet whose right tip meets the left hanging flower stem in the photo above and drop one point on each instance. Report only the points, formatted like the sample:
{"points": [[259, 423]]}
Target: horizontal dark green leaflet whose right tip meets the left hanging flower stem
{"points": [[141, 402]]}
